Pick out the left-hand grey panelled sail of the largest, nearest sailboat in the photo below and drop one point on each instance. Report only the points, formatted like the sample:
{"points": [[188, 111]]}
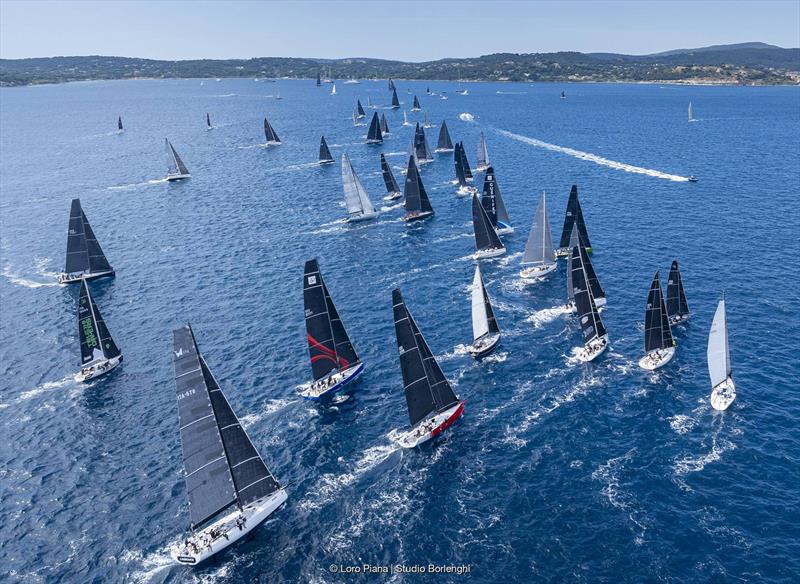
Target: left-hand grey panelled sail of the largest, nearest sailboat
{"points": [[209, 482]]}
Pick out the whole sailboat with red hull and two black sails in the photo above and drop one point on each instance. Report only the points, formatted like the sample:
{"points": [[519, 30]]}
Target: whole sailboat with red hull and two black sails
{"points": [[432, 404]]}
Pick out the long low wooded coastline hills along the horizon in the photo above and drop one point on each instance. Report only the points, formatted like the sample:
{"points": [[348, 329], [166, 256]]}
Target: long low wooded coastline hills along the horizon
{"points": [[744, 63]]}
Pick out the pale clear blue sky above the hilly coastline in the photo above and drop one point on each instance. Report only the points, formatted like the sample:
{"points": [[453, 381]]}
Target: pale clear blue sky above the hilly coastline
{"points": [[407, 30]]}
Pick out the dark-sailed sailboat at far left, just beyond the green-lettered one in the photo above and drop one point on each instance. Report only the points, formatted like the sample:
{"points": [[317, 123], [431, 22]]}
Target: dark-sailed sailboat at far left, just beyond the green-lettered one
{"points": [[85, 257]]}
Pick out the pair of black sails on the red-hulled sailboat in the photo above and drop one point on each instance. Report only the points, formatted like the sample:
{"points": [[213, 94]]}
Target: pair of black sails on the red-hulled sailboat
{"points": [[426, 388]]}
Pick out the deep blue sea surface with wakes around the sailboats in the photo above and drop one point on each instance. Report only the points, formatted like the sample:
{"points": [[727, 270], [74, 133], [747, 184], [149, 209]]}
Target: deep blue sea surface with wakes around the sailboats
{"points": [[558, 471]]}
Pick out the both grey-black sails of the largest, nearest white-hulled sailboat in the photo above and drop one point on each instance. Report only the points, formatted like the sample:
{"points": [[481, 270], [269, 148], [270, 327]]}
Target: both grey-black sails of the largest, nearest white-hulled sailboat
{"points": [[222, 467]]}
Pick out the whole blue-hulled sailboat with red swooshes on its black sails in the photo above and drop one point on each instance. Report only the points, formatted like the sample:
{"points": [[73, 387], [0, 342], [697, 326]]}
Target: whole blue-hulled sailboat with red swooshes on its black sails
{"points": [[334, 361]]}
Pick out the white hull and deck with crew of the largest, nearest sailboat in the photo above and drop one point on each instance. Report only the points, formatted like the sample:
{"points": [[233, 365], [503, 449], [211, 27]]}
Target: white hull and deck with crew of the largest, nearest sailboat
{"points": [[204, 545]]}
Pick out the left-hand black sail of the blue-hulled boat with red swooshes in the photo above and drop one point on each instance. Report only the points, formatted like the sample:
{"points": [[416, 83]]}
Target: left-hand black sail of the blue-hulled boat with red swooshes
{"points": [[319, 332]]}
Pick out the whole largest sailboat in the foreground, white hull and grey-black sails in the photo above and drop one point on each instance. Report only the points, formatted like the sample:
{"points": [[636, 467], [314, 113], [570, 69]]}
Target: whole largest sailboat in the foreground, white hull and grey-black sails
{"points": [[230, 489]]}
